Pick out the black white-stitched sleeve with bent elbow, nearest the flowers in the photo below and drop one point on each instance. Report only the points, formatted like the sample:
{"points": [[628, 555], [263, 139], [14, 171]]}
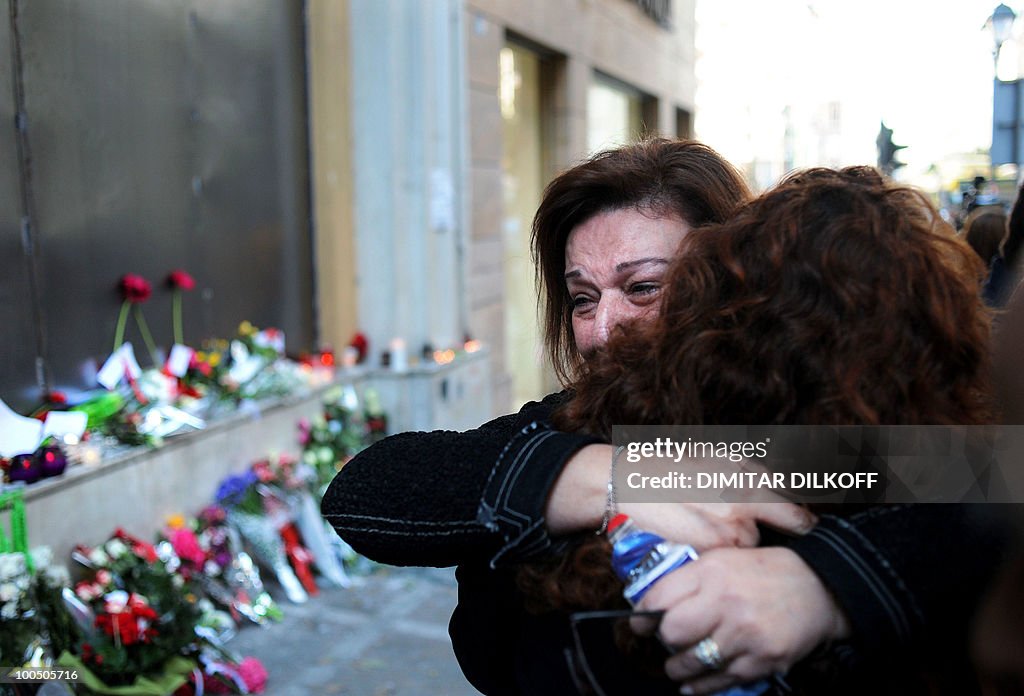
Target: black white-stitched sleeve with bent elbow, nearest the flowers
{"points": [[442, 498]]}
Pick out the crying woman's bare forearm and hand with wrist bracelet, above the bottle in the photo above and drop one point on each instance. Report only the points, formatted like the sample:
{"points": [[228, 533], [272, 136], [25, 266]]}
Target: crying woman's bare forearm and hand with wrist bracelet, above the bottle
{"points": [[579, 498]]}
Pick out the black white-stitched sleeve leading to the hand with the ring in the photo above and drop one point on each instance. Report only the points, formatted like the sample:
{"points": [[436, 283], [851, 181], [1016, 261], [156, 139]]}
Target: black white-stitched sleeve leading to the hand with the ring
{"points": [[908, 576]]}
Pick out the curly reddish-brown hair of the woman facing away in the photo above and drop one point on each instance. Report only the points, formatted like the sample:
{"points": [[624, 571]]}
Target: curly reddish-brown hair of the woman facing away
{"points": [[837, 298]]}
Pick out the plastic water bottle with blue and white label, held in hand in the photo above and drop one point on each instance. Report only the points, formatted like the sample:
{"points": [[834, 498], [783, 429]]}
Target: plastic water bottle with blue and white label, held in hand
{"points": [[641, 558]]}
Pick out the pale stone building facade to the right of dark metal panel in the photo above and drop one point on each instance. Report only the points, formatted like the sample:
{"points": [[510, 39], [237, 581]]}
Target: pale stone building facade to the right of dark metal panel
{"points": [[458, 113]]}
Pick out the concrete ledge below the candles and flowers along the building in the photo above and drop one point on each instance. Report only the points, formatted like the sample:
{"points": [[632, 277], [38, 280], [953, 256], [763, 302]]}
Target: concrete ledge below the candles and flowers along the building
{"points": [[139, 489]]}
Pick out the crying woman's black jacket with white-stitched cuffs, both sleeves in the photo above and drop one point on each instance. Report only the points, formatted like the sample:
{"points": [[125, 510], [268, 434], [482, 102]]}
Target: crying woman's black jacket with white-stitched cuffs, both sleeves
{"points": [[908, 577]]}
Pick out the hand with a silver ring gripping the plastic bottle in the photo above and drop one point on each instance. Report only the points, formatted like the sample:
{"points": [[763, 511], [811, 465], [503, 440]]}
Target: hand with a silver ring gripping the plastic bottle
{"points": [[764, 610]]}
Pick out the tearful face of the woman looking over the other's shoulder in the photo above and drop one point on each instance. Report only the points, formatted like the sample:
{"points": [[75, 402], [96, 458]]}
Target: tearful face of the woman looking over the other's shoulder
{"points": [[615, 264]]}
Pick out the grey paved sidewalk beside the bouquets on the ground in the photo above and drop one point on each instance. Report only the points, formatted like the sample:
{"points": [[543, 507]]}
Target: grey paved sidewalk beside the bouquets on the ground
{"points": [[388, 636]]}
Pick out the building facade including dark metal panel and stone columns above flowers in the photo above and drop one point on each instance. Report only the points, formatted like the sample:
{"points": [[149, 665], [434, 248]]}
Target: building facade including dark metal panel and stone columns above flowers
{"points": [[324, 166]]}
